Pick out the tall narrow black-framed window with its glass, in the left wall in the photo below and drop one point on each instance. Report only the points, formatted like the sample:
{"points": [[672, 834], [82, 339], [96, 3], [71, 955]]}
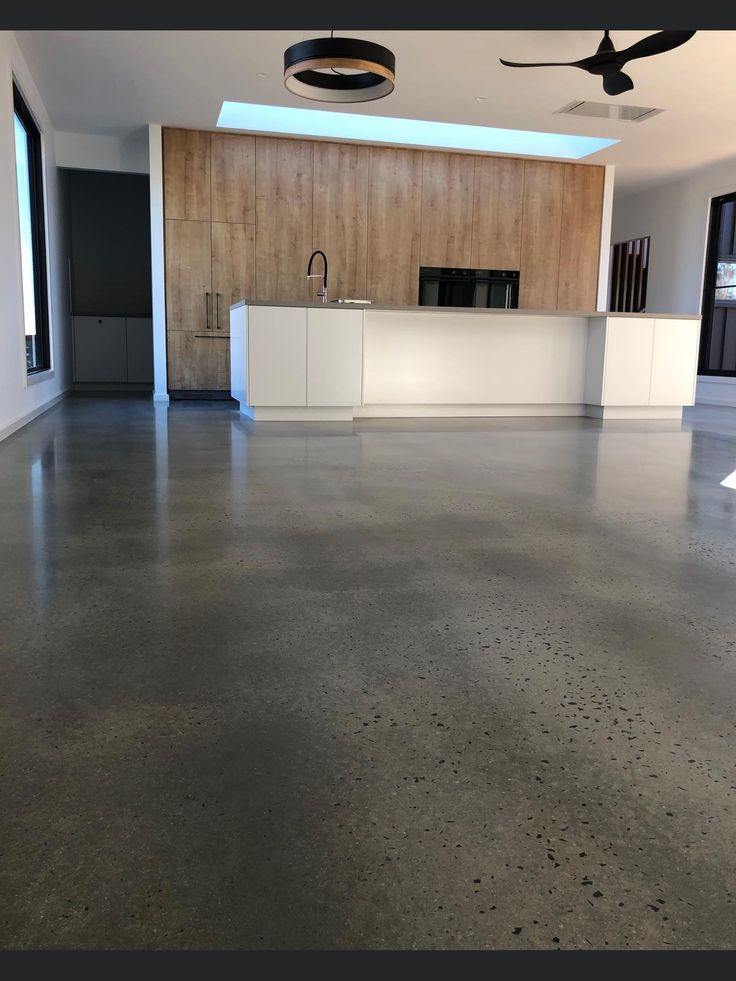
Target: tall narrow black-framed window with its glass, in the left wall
{"points": [[29, 175]]}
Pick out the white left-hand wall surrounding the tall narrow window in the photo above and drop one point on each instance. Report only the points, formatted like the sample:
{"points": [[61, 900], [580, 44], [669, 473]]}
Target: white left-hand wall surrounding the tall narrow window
{"points": [[21, 397]]}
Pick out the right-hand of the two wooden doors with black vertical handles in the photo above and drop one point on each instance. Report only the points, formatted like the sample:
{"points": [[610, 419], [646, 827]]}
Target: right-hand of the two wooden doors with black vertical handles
{"points": [[233, 269]]}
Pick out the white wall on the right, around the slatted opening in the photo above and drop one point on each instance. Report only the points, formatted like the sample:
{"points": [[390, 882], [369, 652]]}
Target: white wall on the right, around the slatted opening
{"points": [[676, 217]]}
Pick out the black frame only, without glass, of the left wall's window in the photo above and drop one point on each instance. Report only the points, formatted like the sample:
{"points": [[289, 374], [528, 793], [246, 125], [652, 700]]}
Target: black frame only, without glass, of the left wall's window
{"points": [[38, 231]]}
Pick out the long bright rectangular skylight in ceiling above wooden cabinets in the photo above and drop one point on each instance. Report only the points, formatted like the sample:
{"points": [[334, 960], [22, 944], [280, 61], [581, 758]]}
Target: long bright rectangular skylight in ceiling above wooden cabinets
{"points": [[411, 132]]}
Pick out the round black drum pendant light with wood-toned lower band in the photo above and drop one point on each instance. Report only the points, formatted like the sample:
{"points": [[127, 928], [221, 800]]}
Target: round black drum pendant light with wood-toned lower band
{"points": [[339, 69]]}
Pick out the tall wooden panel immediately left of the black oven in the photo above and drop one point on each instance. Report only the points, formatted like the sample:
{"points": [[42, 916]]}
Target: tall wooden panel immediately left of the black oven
{"points": [[394, 225]]}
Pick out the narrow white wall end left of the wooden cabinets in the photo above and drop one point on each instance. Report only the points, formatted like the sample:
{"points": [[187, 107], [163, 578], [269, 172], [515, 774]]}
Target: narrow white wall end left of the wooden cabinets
{"points": [[155, 156]]}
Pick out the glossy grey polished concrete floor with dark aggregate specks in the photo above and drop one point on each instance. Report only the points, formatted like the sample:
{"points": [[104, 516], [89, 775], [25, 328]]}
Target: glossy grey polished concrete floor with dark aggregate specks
{"points": [[465, 684]]}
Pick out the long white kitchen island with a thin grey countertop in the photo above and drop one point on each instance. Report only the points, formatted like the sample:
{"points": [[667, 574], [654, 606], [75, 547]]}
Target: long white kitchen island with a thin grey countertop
{"points": [[339, 362]]}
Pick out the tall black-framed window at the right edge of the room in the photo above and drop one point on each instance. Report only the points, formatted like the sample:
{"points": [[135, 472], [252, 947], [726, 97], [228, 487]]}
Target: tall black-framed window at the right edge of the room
{"points": [[718, 334]]}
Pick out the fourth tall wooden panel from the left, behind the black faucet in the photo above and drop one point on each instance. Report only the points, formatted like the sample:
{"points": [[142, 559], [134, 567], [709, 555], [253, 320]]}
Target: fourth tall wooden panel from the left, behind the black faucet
{"points": [[341, 216]]}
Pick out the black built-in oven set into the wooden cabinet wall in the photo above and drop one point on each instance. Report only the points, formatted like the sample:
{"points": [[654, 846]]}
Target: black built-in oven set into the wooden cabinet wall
{"points": [[441, 286]]}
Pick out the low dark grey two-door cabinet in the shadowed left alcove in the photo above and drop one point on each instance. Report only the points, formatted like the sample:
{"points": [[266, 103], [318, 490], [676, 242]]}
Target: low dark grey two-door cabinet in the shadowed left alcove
{"points": [[113, 350]]}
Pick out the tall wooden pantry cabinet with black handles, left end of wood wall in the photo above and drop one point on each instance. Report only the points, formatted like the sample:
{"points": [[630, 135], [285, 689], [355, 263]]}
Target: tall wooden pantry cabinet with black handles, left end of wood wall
{"points": [[209, 213]]}
